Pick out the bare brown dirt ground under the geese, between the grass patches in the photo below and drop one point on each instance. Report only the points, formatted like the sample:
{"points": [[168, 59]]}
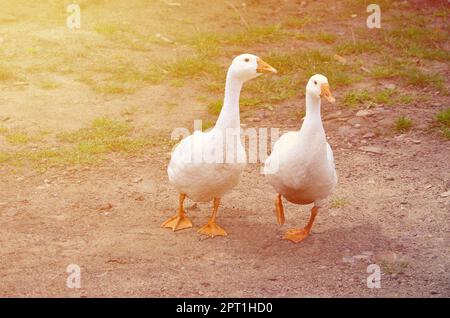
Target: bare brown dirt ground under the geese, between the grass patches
{"points": [[391, 206]]}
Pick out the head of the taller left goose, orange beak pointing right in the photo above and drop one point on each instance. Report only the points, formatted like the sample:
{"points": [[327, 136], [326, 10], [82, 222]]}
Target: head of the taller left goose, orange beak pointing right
{"points": [[248, 66]]}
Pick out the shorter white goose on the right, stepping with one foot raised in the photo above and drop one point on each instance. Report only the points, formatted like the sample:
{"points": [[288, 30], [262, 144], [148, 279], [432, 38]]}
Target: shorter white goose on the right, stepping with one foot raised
{"points": [[301, 166]]}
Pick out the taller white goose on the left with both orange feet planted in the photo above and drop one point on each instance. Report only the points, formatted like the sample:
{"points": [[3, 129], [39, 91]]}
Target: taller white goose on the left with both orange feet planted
{"points": [[206, 165]]}
